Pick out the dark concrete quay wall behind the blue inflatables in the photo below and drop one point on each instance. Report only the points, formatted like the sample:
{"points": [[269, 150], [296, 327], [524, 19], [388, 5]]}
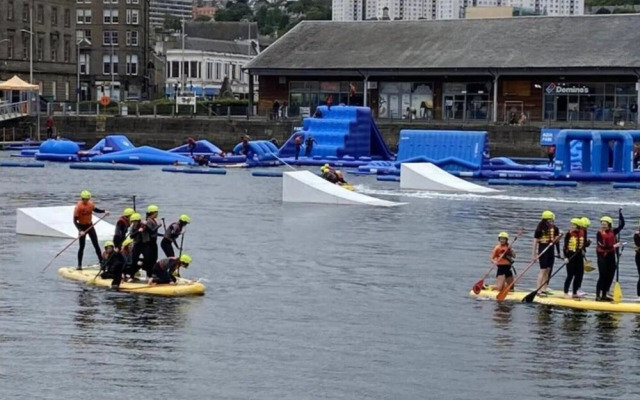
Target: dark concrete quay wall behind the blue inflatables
{"points": [[166, 132]]}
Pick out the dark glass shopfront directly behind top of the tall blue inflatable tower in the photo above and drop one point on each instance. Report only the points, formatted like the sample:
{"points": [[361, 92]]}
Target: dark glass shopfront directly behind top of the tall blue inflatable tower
{"points": [[312, 94]]}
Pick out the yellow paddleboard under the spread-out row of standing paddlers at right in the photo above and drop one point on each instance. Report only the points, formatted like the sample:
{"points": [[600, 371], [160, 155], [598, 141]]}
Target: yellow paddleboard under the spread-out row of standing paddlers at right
{"points": [[556, 298]]}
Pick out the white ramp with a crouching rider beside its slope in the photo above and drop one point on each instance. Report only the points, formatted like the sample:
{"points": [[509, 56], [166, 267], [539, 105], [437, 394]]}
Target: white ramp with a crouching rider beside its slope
{"points": [[307, 187]]}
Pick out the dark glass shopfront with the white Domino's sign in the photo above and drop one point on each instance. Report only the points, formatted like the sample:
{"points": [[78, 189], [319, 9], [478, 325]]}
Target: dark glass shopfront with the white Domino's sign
{"points": [[565, 101]]}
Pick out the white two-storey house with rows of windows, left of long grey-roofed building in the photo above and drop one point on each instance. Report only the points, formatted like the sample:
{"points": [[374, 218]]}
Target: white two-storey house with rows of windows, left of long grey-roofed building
{"points": [[204, 64]]}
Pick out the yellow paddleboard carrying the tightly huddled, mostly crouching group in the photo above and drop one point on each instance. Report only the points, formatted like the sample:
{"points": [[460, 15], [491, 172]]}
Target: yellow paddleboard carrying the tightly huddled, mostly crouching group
{"points": [[183, 287]]}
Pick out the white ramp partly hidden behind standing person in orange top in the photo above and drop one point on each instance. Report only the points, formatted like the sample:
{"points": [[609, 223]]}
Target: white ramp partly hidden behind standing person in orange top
{"points": [[55, 222]]}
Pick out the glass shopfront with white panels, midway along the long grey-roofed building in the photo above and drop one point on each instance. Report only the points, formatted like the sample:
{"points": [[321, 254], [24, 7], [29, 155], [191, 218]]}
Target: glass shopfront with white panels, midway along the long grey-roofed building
{"points": [[396, 99]]}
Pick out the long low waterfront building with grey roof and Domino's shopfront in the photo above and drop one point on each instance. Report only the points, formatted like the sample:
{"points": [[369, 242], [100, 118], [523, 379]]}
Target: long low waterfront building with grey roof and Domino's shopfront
{"points": [[552, 68]]}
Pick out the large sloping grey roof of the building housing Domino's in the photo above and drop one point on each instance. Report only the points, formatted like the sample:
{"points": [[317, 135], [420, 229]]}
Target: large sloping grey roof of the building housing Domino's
{"points": [[594, 41]]}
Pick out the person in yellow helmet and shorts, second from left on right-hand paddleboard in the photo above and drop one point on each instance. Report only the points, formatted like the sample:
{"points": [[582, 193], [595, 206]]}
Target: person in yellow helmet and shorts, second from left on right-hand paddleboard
{"points": [[546, 233]]}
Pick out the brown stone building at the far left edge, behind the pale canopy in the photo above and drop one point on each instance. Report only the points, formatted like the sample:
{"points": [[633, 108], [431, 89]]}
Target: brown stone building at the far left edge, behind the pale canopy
{"points": [[44, 32]]}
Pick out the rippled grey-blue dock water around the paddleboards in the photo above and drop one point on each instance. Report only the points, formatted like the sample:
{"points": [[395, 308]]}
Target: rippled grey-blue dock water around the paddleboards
{"points": [[306, 301]]}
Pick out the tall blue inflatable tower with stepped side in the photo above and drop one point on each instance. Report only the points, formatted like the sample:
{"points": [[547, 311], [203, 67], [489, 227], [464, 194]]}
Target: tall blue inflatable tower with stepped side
{"points": [[341, 131]]}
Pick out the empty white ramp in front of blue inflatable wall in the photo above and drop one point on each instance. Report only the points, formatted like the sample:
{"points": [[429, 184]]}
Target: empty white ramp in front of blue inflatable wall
{"points": [[426, 176]]}
